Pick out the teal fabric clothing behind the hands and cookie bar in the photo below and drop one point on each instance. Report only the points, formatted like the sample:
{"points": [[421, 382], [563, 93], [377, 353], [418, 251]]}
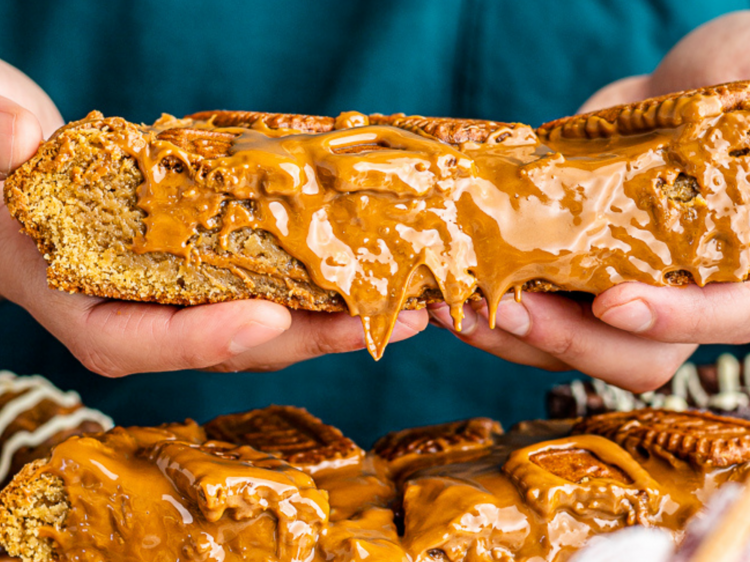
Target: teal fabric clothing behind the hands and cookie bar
{"points": [[528, 61]]}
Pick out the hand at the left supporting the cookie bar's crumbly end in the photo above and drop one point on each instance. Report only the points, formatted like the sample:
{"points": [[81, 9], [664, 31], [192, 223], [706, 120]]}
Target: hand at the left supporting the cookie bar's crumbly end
{"points": [[116, 338]]}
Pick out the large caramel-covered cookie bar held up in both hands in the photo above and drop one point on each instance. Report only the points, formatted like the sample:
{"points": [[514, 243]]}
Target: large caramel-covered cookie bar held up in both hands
{"points": [[376, 214]]}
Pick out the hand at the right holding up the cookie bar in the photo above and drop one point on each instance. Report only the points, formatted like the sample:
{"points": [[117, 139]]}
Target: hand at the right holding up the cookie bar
{"points": [[633, 335]]}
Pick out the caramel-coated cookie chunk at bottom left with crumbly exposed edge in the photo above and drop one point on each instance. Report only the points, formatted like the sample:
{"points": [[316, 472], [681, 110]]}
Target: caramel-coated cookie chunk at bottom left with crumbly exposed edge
{"points": [[147, 493]]}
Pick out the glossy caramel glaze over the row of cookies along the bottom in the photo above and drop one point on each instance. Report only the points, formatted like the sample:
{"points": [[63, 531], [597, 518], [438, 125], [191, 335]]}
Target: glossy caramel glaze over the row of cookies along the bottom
{"points": [[144, 494]]}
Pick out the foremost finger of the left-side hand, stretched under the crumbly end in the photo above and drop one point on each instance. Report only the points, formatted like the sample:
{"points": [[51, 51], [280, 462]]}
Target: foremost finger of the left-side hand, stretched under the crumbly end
{"points": [[118, 338]]}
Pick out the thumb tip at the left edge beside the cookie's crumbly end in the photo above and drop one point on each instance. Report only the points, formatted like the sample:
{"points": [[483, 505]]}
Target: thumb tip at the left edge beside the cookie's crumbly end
{"points": [[20, 135]]}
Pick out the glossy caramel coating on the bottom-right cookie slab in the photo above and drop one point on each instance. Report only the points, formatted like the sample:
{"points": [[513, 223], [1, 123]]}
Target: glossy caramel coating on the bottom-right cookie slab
{"points": [[506, 507]]}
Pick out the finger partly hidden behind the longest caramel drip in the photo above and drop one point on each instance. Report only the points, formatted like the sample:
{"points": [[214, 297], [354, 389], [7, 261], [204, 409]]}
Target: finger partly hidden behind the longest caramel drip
{"points": [[313, 334]]}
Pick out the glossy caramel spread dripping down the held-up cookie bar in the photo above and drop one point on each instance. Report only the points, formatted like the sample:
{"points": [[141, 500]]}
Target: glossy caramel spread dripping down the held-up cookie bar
{"points": [[379, 213]]}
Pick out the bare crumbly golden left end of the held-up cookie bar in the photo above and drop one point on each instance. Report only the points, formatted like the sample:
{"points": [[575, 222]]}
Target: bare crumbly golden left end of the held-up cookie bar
{"points": [[78, 202]]}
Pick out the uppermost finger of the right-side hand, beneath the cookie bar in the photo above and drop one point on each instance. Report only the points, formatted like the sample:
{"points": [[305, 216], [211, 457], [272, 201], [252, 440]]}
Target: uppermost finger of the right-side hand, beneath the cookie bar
{"points": [[716, 313]]}
